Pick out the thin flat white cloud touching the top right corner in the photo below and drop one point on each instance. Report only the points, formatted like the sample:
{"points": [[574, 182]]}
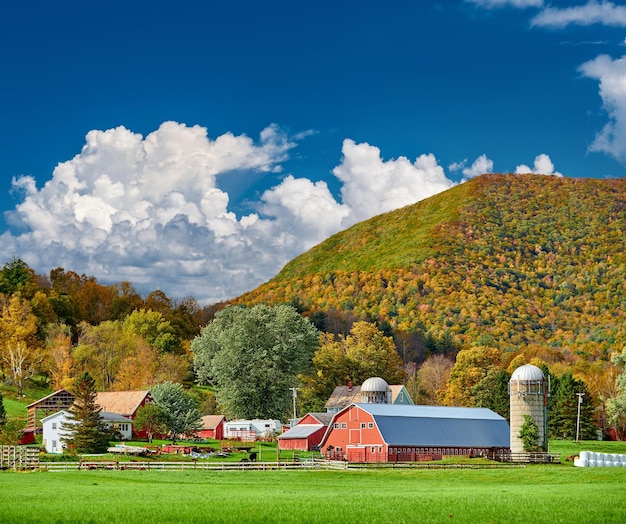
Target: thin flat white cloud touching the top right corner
{"points": [[591, 13]]}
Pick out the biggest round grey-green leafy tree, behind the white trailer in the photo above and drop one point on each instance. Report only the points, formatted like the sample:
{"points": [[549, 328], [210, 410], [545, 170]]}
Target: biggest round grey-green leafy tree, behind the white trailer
{"points": [[253, 356]]}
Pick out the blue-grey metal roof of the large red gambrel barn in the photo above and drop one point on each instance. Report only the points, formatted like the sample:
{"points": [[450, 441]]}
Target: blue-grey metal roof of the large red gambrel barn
{"points": [[402, 425]]}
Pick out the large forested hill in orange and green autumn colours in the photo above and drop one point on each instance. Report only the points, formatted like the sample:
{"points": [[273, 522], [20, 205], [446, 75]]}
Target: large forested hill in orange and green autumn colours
{"points": [[524, 263]]}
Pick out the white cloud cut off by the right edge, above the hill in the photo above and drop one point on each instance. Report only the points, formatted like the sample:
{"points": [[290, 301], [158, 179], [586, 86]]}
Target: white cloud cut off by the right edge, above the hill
{"points": [[612, 77]]}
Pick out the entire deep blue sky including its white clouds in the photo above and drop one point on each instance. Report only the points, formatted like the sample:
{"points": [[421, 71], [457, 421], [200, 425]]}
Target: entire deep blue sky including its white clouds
{"points": [[197, 147]]}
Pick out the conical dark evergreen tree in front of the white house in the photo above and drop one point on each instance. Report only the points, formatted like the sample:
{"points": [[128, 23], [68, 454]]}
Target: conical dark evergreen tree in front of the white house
{"points": [[85, 430]]}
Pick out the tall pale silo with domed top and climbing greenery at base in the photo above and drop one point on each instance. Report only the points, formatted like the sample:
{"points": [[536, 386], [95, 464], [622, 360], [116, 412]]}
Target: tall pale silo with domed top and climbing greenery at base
{"points": [[527, 392]]}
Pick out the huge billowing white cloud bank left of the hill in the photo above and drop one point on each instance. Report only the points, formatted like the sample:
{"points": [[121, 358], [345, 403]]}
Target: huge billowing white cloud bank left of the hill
{"points": [[150, 209]]}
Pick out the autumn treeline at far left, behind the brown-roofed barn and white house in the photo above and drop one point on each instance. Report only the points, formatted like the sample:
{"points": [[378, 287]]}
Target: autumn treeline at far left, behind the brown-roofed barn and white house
{"points": [[64, 324]]}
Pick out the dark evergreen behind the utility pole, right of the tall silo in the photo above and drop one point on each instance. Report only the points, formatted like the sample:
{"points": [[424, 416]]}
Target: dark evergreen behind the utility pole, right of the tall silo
{"points": [[563, 416]]}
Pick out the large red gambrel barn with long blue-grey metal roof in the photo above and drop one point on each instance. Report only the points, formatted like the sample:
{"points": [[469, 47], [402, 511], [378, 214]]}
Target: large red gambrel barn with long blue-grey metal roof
{"points": [[400, 433]]}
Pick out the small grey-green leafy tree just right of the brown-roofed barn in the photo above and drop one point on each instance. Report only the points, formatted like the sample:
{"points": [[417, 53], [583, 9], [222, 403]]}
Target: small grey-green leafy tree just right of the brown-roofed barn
{"points": [[180, 412]]}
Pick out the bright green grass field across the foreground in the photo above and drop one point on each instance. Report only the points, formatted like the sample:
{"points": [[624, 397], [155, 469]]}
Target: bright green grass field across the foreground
{"points": [[534, 494]]}
